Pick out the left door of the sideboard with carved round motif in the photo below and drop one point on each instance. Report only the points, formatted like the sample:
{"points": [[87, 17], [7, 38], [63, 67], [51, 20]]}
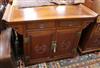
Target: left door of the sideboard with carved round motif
{"points": [[40, 44]]}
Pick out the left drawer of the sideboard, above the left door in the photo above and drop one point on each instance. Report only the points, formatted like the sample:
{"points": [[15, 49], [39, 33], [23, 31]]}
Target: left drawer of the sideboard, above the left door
{"points": [[40, 25]]}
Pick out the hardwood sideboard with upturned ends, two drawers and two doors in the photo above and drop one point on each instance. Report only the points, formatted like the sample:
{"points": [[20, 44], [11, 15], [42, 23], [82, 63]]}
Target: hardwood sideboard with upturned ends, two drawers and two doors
{"points": [[50, 32]]}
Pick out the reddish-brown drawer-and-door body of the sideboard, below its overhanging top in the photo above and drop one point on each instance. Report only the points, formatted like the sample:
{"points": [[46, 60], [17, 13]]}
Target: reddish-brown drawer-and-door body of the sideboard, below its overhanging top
{"points": [[50, 41]]}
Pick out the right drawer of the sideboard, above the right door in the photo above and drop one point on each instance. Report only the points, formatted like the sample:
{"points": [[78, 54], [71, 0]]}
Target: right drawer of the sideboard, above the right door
{"points": [[69, 24]]}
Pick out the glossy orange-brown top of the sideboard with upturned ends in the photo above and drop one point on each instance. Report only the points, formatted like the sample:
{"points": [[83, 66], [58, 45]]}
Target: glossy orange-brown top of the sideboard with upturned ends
{"points": [[15, 14]]}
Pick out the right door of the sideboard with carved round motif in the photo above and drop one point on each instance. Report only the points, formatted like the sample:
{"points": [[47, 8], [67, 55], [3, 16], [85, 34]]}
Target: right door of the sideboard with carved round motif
{"points": [[67, 41]]}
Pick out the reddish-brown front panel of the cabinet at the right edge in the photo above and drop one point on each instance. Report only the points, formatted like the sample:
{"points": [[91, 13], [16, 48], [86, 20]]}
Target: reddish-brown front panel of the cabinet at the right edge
{"points": [[93, 41]]}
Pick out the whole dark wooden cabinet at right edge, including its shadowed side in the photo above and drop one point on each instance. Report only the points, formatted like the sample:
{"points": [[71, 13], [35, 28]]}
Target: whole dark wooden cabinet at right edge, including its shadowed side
{"points": [[92, 42]]}
